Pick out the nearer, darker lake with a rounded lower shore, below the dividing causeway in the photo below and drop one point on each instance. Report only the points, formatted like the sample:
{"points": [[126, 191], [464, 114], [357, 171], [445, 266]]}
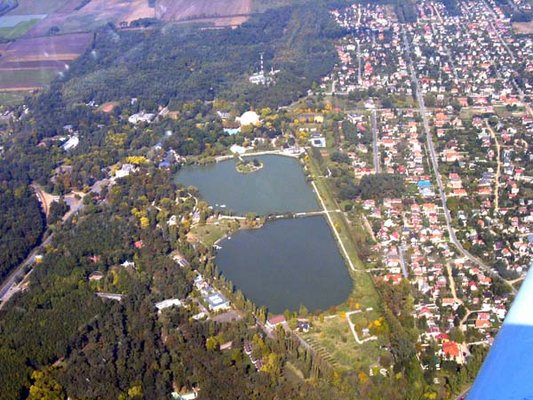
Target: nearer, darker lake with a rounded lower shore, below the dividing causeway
{"points": [[287, 263]]}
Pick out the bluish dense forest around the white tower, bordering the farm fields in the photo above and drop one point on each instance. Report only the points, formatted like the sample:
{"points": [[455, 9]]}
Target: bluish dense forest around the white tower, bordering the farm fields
{"points": [[180, 63]]}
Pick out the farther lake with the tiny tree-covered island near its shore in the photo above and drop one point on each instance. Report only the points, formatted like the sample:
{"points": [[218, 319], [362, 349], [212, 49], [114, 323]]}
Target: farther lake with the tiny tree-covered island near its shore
{"points": [[279, 187]]}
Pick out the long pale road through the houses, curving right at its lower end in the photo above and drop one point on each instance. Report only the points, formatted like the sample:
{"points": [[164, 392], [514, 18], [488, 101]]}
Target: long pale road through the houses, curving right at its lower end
{"points": [[434, 163]]}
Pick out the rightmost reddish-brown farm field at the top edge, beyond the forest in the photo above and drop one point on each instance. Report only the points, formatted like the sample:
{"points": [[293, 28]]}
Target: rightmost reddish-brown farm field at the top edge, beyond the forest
{"points": [[218, 12]]}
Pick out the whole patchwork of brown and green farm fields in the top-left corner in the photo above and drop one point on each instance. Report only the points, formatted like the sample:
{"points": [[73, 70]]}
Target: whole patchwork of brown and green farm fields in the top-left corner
{"points": [[35, 57]]}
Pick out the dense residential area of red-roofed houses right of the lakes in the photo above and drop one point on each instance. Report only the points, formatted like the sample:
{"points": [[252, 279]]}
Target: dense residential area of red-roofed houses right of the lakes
{"points": [[466, 66]]}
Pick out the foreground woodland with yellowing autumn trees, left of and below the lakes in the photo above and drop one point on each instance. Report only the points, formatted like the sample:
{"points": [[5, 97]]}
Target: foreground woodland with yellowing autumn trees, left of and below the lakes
{"points": [[60, 340]]}
